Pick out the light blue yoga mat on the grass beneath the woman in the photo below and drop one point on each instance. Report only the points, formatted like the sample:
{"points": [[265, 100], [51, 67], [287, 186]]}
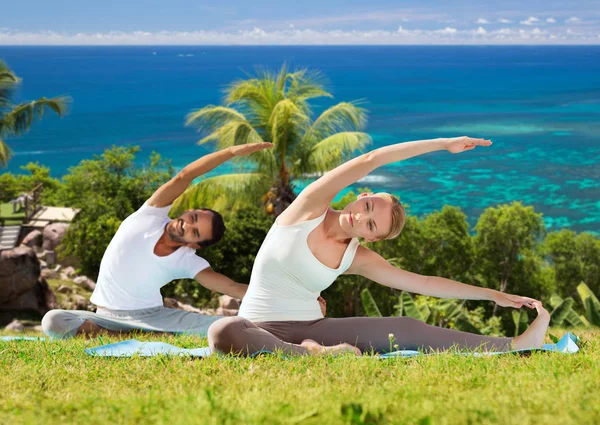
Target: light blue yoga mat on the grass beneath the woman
{"points": [[567, 344]]}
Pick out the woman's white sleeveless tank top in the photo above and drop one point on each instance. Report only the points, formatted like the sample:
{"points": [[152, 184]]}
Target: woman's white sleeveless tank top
{"points": [[287, 278]]}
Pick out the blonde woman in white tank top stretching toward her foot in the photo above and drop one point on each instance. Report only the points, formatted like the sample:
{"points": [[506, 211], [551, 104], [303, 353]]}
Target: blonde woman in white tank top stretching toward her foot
{"points": [[310, 244]]}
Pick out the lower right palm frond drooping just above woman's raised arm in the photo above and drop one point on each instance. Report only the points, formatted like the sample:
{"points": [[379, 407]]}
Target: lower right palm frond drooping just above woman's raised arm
{"points": [[334, 150]]}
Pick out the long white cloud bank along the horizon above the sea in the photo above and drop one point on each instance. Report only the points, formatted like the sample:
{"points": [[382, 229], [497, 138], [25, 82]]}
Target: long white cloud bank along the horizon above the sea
{"points": [[295, 36]]}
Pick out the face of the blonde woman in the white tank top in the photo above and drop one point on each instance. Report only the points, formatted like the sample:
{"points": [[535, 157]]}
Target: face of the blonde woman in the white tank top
{"points": [[369, 217]]}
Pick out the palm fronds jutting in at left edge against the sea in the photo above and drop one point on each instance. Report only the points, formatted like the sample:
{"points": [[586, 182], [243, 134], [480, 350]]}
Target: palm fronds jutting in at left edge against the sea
{"points": [[17, 119]]}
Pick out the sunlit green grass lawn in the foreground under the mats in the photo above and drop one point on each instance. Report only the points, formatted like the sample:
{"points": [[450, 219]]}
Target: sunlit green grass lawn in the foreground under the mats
{"points": [[54, 382]]}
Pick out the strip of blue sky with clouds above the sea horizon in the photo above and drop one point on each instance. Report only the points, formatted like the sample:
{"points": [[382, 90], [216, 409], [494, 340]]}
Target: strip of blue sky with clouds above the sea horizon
{"points": [[154, 22]]}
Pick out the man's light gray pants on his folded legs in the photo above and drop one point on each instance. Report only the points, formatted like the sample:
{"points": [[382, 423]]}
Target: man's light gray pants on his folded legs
{"points": [[65, 323]]}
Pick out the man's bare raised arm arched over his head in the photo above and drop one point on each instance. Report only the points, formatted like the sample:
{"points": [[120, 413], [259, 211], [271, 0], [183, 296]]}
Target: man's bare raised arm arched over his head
{"points": [[171, 190]]}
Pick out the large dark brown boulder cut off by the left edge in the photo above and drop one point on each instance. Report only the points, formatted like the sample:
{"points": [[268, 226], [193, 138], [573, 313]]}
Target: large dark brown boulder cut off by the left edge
{"points": [[19, 272]]}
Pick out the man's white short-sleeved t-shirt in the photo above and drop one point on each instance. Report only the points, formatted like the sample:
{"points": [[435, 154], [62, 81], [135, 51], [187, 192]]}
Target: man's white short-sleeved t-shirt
{"points": [[131, 275]]}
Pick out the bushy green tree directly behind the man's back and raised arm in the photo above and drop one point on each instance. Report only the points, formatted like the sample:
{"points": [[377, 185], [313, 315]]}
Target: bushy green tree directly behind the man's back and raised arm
{"points": [[106, 189]]}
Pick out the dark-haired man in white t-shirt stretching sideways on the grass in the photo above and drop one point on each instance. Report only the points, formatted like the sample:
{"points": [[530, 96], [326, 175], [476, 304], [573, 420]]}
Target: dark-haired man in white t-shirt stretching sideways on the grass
{"points": [[148, 251]]}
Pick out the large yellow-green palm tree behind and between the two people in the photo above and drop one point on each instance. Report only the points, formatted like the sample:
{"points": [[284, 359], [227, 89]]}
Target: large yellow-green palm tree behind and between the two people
{"points": [[273, 107]]}
